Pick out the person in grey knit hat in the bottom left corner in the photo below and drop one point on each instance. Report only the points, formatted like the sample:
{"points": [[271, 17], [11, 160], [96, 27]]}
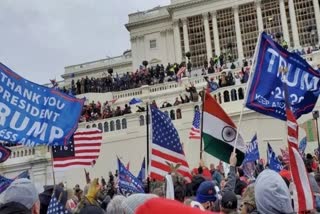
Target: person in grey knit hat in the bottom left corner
{"points": [[21, 197]]}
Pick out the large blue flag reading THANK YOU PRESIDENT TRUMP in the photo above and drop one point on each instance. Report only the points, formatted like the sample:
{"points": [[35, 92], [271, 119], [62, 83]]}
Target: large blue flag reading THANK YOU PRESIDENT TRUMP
{"points": [[31, 114]]}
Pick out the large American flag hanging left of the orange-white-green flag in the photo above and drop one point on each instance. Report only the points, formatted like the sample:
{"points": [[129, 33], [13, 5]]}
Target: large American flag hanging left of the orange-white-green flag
{"points": [[166, 147]]}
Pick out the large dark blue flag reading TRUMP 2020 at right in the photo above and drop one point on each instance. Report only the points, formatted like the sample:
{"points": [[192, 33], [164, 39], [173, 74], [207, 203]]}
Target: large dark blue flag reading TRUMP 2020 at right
{"points": [[266, 91]]}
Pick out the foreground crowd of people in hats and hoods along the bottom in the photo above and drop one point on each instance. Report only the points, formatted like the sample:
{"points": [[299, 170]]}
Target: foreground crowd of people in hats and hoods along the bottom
{"points": [[209, 191]]}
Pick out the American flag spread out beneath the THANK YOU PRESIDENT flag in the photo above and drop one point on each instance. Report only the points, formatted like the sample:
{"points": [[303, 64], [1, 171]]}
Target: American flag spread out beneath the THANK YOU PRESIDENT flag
{"points": [[83, 150]]}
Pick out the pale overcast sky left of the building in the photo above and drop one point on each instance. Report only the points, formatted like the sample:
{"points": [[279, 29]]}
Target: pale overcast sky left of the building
{"points": [[38, 38]]}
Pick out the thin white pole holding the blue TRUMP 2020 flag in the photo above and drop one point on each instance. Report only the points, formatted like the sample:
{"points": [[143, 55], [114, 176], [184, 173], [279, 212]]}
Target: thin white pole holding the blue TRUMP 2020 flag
{"points": [[247, 90]]}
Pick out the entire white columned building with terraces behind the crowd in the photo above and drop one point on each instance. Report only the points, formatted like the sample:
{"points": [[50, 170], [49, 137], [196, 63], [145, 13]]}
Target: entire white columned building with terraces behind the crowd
{"points": [[163, 35]]}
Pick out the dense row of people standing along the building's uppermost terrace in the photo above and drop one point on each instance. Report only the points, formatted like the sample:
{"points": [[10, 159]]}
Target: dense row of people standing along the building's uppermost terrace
{"points": [[143, 76]]}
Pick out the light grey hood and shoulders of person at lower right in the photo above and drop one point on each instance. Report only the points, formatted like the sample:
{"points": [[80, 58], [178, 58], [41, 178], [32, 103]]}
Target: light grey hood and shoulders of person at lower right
{"points": [[272, 194]]}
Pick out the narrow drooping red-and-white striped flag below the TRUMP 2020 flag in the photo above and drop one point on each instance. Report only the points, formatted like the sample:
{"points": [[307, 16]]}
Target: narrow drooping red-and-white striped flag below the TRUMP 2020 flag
{"points": [[303, 198]]}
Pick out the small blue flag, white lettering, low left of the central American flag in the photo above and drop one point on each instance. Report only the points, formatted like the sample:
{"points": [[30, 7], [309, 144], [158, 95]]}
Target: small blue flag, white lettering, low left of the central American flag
{"points": [[127, 182]]}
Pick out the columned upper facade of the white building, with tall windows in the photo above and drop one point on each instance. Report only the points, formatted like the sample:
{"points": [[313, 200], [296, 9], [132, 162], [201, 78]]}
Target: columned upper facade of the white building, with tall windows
{"points": [[206, 28]]}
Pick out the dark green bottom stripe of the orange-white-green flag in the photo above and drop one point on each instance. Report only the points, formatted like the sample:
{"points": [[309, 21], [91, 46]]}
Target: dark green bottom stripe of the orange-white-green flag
{"points": [[220, 149]]}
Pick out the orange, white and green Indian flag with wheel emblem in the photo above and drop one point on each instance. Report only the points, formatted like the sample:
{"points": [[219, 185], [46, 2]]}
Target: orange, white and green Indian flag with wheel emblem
{"points": [[219, 132]]}
